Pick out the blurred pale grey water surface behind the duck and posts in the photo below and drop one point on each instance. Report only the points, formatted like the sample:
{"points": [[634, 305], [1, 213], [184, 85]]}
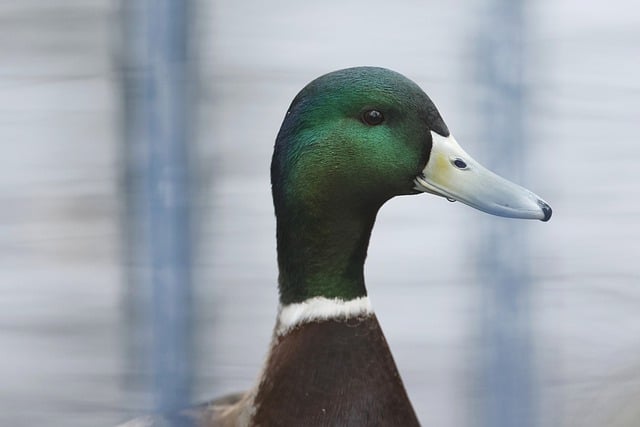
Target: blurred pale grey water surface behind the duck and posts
{"points": [[62, 325]]}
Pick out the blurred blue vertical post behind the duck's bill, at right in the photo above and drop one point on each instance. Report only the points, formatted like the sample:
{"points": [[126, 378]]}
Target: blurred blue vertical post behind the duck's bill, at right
{"points": [[507, 381]]}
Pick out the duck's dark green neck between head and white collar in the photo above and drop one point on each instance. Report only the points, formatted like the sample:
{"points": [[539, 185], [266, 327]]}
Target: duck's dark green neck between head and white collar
{"points": [[322, 253]]}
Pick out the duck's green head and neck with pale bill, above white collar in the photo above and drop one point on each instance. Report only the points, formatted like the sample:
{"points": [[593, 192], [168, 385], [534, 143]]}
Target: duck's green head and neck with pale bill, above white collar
{"points": [[351, 140]]}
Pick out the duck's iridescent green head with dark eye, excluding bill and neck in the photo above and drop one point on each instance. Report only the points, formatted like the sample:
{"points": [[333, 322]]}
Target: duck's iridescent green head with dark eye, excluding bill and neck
{"points": [[359, 135]]}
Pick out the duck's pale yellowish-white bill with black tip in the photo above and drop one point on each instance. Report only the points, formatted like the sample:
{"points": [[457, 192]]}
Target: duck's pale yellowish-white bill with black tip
{"points": [[454, 174]]}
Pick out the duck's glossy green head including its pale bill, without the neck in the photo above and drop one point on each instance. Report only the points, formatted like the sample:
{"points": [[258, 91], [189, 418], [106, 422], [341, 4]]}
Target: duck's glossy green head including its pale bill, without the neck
{"points": [[363, 135]]}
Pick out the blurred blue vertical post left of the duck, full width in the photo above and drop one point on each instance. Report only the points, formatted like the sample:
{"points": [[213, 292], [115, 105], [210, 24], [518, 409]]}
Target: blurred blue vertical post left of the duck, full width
{"points": [[158, 196]]}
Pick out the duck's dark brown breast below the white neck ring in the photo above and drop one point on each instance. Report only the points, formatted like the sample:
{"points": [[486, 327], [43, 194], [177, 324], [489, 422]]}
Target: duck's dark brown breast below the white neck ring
{"points": [[333, 373]]}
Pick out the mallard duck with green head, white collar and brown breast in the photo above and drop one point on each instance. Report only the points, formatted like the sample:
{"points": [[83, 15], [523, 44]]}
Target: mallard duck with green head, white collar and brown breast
{"points": [[350, 141]]}
